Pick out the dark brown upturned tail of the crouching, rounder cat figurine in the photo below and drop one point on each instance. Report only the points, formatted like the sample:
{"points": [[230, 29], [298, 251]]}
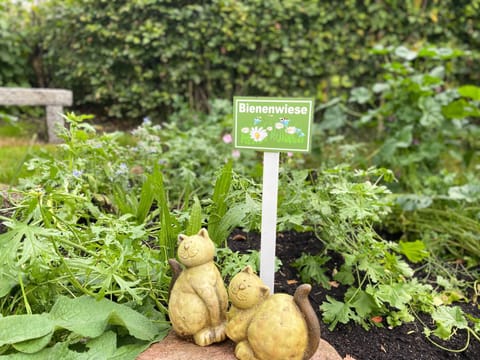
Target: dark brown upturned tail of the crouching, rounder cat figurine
{"points": [[301, 299]]}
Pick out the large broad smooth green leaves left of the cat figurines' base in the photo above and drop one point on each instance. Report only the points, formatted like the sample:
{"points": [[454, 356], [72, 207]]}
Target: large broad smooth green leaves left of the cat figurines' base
{"points": [[82, 321]]}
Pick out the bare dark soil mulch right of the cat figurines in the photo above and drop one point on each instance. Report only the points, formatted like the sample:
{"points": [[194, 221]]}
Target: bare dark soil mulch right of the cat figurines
{"points": [[404, 342]]}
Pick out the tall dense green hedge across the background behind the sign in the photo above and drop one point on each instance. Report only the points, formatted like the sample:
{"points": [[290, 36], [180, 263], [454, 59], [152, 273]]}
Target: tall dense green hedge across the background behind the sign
{"points": [[140, 58]]}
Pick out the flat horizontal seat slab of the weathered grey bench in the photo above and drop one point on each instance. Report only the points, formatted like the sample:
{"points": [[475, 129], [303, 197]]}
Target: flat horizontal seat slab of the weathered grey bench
{"points": [[33, 97]]}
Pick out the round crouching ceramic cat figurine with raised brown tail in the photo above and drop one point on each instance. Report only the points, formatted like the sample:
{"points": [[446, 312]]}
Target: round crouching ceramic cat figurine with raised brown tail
{"points": [[270, 327]]}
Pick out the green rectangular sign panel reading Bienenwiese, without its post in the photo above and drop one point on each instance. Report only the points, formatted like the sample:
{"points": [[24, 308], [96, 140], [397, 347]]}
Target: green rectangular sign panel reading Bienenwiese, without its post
{"points": [[273, 124]]}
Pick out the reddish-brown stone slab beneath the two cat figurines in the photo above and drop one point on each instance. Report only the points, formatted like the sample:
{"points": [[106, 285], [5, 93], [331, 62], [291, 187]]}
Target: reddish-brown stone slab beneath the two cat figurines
{"points": [[175, 348]]}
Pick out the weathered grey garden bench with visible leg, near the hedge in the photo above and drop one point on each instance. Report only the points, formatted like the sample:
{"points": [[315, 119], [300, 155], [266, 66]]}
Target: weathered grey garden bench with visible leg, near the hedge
{"points": [[53, 99]]}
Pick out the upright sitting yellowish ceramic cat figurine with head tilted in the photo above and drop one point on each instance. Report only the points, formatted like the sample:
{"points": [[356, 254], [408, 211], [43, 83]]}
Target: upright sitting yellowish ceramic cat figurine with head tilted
{"points": [[198, 298]]}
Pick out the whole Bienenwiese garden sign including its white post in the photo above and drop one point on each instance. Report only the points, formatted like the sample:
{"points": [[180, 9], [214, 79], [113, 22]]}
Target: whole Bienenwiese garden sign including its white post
{"points": [[271, 125]]}
